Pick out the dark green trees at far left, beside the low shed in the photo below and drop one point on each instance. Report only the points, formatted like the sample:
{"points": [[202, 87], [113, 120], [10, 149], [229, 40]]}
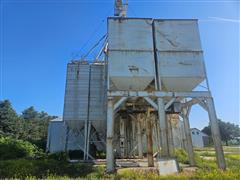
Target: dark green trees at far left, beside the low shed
{"points": [[30, 125]]}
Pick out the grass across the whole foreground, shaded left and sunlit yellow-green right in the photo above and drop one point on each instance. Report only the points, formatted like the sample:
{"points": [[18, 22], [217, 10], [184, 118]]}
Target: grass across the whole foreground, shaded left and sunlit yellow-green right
{"points": [[51, 168]]}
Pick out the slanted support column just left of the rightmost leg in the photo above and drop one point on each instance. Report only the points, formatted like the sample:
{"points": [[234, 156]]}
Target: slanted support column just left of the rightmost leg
{"points": [[188, 137]]}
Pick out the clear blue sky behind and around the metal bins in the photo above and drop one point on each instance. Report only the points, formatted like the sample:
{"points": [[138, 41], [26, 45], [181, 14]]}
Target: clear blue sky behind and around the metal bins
{"points": [[39, 37]]}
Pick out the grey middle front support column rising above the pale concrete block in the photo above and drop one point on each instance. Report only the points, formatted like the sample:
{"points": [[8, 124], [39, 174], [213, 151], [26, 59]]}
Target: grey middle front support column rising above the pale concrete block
{"points": [[163, 128]]}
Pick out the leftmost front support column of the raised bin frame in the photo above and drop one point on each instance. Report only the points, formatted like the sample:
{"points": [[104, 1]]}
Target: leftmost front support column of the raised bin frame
{"points": [[110, 131]]}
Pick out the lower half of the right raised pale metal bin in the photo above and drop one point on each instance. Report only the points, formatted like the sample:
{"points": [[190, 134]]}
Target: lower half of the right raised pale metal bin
{"points": [[181, 71]]}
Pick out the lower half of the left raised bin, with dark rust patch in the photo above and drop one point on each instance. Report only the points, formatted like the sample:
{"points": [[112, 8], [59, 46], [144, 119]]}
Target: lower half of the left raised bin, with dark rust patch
{"points": [[130, 70]]}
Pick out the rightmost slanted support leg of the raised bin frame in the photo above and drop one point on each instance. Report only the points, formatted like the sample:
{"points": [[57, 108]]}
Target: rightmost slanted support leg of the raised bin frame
{"points": [[216, 134]]}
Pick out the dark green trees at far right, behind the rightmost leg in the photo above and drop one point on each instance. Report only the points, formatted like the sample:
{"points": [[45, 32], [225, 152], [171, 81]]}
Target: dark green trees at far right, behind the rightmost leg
{"points": [[228, 131]]}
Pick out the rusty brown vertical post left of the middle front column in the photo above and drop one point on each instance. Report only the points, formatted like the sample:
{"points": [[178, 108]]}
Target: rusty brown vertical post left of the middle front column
{"points": [[149, 141]]}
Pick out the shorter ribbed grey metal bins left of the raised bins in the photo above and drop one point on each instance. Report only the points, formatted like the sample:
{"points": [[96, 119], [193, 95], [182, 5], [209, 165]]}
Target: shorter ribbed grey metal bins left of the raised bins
{"points": [[85, 95]]}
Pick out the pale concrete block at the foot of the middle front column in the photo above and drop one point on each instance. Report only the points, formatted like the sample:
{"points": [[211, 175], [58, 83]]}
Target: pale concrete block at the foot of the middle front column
{"points": [[167, 166]]}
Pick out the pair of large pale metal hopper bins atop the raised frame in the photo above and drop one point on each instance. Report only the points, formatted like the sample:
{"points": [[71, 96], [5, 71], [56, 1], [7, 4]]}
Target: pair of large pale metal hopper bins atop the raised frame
{"points": [[137, 46]]}
